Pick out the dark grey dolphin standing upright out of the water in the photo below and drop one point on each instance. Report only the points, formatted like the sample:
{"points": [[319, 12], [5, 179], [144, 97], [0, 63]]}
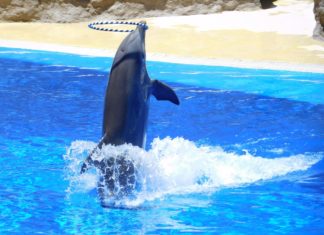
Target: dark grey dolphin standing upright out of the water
{"points": [[126, 108]]}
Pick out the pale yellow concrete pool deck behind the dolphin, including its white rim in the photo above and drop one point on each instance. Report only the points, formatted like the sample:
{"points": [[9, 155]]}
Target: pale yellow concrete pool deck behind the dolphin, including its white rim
{"points": [[279, 38]]}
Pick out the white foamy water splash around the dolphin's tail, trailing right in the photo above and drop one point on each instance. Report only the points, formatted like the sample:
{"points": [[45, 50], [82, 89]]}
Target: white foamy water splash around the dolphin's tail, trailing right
{"points": [[177, 166]]}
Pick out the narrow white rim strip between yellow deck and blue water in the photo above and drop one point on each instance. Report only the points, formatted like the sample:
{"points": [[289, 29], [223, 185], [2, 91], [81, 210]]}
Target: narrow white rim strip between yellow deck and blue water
{"points": [[240, 63]]}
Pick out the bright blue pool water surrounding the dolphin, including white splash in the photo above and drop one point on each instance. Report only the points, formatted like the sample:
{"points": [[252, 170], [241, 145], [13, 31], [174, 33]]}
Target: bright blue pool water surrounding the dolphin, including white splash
{"points": [[242, 154]]}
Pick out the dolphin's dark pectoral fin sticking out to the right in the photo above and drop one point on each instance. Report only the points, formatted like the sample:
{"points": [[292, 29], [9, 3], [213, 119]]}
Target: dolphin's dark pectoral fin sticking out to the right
{"points": [[162, 91]]}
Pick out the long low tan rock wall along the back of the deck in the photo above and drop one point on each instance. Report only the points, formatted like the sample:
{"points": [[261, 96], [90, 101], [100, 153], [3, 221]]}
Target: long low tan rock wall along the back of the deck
{"points": [[85, 10]]}
